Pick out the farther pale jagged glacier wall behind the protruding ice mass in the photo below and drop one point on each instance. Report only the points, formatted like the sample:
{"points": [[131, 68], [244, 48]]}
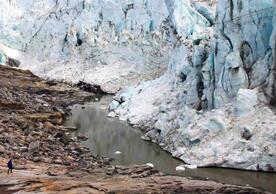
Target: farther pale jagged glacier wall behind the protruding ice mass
{"points": [[111, 43]]}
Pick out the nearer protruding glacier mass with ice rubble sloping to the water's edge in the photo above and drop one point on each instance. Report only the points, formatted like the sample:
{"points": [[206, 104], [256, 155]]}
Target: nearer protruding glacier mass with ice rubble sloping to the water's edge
{"points": [[232, 73]]}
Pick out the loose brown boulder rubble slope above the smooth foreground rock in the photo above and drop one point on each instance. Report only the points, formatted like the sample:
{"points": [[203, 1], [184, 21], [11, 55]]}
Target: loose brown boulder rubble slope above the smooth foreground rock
{"points": [[32, 112]]}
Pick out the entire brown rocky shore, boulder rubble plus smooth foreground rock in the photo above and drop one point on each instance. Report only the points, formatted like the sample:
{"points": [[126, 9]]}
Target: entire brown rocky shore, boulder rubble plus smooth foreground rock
{"points": [[49, 158]]}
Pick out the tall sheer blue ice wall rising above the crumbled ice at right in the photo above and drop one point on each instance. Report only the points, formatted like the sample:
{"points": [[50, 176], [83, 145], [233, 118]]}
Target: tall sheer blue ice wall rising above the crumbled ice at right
{"points": [[242, 49]]}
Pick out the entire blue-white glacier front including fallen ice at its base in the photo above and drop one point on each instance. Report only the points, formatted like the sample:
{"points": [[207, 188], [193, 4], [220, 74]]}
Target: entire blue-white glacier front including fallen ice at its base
{"points": [[199, 77]]}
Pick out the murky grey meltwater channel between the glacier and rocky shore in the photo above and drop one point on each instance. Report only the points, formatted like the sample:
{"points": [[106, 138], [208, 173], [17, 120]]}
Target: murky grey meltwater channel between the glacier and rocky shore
{"points": [[106, 136]]}
